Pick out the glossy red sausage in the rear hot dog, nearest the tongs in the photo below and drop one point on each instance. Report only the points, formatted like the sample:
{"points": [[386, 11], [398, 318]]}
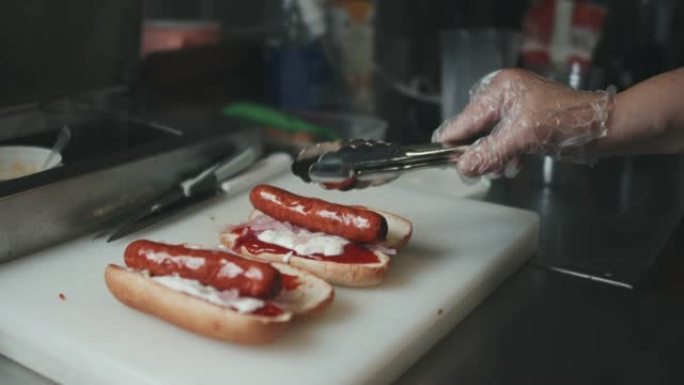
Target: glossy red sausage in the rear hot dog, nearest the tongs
{"points": [[352, 223]]}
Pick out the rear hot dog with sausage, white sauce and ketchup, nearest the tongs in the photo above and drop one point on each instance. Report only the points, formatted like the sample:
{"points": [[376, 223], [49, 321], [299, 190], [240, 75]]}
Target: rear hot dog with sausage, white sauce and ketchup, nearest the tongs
{"points": [[345, 245]]}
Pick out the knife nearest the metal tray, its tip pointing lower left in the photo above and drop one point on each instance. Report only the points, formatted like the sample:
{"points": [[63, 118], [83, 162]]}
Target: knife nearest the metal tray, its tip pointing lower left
{"points": [[196, 189]]}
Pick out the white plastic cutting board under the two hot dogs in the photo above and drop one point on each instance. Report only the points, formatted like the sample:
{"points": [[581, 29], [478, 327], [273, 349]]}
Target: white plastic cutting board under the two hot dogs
{"points": [[461, 250]]}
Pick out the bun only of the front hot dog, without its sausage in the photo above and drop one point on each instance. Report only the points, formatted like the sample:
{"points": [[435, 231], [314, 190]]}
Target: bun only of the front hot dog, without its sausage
{"points": [[310, 296]]}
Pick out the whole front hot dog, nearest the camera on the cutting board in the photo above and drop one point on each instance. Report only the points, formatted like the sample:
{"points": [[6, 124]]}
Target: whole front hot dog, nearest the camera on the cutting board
{"points": [[249, 302]]}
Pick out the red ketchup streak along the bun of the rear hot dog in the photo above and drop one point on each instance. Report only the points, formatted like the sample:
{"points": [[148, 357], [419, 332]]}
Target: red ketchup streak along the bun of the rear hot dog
{"points": [[353, 253]]}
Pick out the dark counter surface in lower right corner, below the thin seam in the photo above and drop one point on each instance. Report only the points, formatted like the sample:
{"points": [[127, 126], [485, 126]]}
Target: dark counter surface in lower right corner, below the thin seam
{"points": [[542, 327]]}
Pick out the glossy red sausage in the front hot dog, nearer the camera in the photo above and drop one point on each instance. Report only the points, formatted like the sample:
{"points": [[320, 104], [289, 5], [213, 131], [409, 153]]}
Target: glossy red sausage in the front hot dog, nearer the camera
{"points": [[214, 268]]}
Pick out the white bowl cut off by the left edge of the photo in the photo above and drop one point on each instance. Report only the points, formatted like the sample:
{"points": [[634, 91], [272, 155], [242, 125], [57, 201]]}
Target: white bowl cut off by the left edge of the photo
{"points": [[19, 161]]}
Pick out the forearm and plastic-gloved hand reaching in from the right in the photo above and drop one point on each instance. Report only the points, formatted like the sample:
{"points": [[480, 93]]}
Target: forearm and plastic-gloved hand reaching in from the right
{"points": [[531, 114]]}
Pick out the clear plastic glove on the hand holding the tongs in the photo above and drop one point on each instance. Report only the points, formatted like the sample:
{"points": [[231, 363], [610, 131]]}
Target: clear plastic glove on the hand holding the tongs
{"points": [[529, 114]]}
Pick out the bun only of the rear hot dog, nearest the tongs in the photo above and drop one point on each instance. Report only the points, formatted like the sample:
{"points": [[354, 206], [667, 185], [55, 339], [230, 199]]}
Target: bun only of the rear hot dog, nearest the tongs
{"points": [[399, 231]]}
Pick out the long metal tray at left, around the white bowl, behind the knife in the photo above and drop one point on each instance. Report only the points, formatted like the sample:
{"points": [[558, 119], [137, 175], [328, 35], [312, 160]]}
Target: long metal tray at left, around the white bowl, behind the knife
{"points": [[110, 166]]}
